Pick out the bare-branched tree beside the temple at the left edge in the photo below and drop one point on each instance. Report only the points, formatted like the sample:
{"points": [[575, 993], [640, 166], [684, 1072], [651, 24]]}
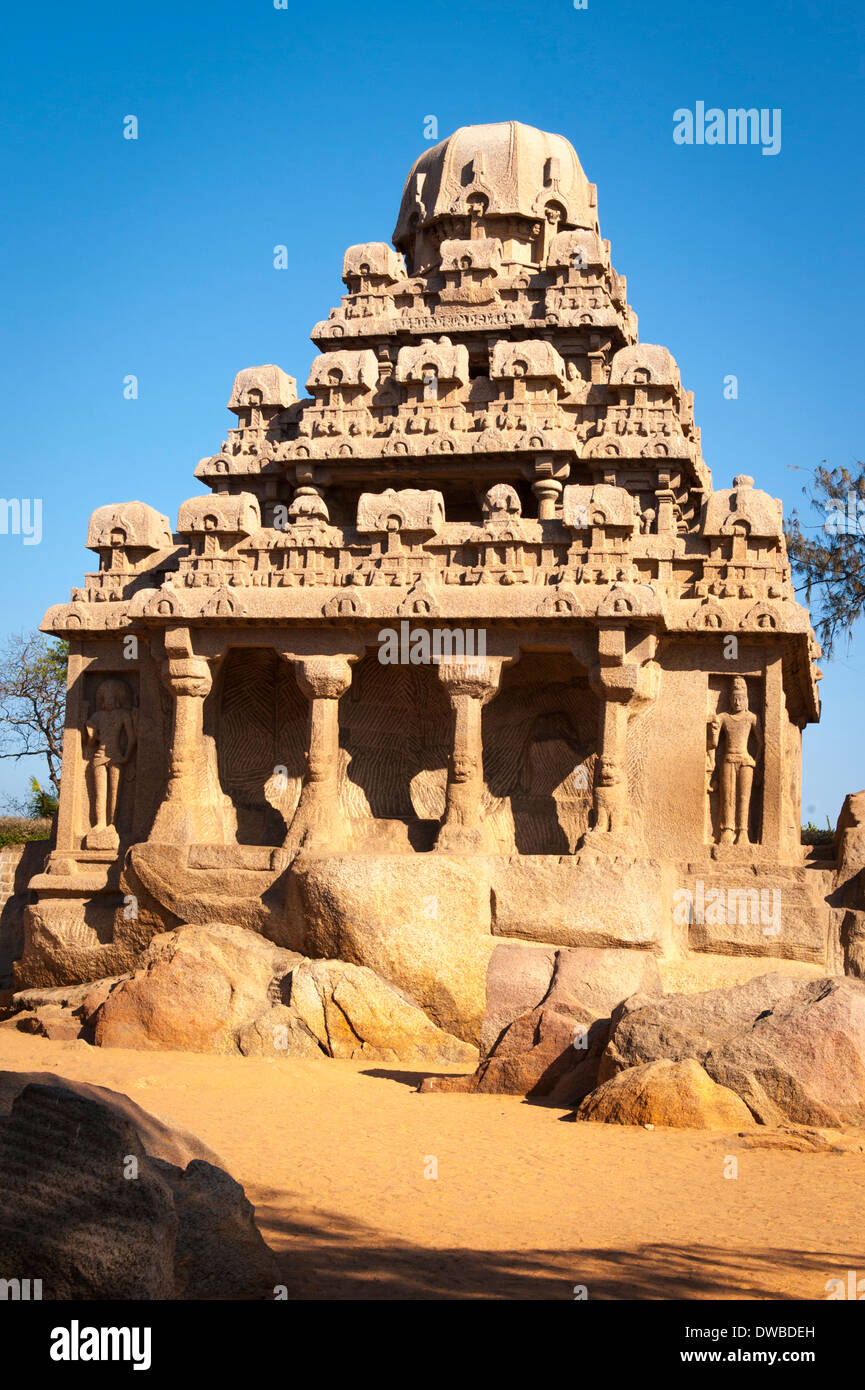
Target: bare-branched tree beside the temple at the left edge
{"points": [[33, 701]]}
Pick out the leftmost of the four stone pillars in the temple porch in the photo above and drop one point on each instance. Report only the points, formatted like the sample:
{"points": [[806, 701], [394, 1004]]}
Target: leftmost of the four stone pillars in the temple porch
{"points": [[194, 810]]}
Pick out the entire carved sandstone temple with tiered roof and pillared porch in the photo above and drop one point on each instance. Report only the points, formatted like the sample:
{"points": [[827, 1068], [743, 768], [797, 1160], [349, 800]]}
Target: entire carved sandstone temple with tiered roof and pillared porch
{"points": [[461, 648]]}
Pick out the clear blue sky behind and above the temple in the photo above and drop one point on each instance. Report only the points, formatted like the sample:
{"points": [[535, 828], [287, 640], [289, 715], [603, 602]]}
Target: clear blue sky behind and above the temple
{"points": [[298, 127]]}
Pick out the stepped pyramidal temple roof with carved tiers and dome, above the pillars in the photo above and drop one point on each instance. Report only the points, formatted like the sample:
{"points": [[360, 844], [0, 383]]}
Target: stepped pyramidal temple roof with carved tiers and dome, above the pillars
{"points": [[490, 363]]}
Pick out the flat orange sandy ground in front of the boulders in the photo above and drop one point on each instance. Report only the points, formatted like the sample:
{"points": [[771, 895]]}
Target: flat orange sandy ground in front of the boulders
{"points": [[526, 1203]]}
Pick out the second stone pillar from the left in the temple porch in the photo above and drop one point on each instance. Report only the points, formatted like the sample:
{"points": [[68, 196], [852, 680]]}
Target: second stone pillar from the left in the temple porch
{"points": [[319, 824]]}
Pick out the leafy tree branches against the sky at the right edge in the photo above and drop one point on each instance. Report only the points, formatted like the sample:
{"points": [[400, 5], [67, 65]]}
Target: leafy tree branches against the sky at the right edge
{"points": [[830, 558]]}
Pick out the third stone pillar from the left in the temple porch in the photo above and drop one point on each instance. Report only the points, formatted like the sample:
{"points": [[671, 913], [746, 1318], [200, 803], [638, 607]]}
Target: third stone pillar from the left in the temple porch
{"points": [[471, 685]]}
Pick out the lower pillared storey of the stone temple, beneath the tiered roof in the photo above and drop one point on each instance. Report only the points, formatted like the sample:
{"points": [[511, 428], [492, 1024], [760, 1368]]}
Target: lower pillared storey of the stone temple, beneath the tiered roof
{"points": [[289, 744]]}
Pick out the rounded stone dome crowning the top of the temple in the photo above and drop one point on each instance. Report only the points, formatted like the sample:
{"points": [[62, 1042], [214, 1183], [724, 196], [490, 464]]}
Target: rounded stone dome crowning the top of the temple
{"points": [[499, 180]]}
